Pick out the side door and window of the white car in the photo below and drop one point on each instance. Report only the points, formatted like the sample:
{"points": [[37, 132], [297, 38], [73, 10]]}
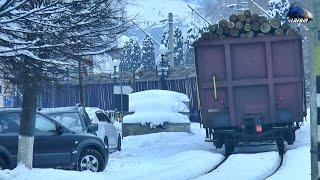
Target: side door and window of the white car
{"points": [[110, 129]]}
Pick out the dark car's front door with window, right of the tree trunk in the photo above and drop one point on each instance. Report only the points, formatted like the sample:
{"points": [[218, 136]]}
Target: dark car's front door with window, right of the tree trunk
{"points": [[51, 149]]}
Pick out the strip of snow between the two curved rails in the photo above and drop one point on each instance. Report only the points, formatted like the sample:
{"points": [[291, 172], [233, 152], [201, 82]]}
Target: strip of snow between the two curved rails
{"points": [[246, 167]]}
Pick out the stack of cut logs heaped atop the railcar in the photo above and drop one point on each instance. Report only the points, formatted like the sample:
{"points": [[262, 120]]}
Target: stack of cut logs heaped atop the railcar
{"points": [[247, 25]]}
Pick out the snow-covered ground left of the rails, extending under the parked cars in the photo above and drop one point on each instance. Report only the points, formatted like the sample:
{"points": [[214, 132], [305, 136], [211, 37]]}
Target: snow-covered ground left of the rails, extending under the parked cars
{"points": [[152, 156]]}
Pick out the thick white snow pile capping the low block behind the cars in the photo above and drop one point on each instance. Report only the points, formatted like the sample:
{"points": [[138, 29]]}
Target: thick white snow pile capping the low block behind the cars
{"points": [[157, 107]]}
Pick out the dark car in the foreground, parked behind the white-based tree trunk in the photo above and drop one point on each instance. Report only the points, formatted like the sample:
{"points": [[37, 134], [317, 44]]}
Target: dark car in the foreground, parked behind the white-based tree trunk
{"points": [[55, 146]]}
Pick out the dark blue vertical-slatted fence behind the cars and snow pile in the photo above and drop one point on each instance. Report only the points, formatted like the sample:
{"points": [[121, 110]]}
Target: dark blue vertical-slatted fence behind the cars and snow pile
{"points": [[101, 95]]}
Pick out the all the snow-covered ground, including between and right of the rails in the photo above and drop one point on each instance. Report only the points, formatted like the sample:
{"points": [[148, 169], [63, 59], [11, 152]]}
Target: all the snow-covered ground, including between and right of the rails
{"points": [[184, 156]]}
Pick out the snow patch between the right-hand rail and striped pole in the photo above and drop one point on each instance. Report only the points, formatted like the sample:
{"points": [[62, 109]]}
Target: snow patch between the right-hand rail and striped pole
{"points": [[296, 165]]}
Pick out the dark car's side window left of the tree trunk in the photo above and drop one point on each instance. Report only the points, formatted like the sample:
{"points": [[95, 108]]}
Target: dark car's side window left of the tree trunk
{"points": [[10, 122]]}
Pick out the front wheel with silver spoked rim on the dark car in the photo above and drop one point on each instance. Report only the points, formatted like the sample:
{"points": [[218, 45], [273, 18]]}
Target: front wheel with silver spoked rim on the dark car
{"points": [[92, 160]]}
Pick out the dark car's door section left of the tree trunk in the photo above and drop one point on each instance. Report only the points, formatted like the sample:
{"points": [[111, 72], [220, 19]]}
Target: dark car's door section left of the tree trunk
{"points": [[10, 123]]}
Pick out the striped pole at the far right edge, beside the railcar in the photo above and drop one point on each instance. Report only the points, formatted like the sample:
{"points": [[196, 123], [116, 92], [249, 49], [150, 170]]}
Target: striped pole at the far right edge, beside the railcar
{"points": [[313, 37]]}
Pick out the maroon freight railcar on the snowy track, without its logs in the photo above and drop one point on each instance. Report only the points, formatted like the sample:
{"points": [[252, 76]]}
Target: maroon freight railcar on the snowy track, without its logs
{"points": [[251, 90]]}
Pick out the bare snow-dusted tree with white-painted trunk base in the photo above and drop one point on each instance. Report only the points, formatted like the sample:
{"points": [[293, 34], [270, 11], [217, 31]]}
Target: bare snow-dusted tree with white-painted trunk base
{"points": [[41, 40]]}
